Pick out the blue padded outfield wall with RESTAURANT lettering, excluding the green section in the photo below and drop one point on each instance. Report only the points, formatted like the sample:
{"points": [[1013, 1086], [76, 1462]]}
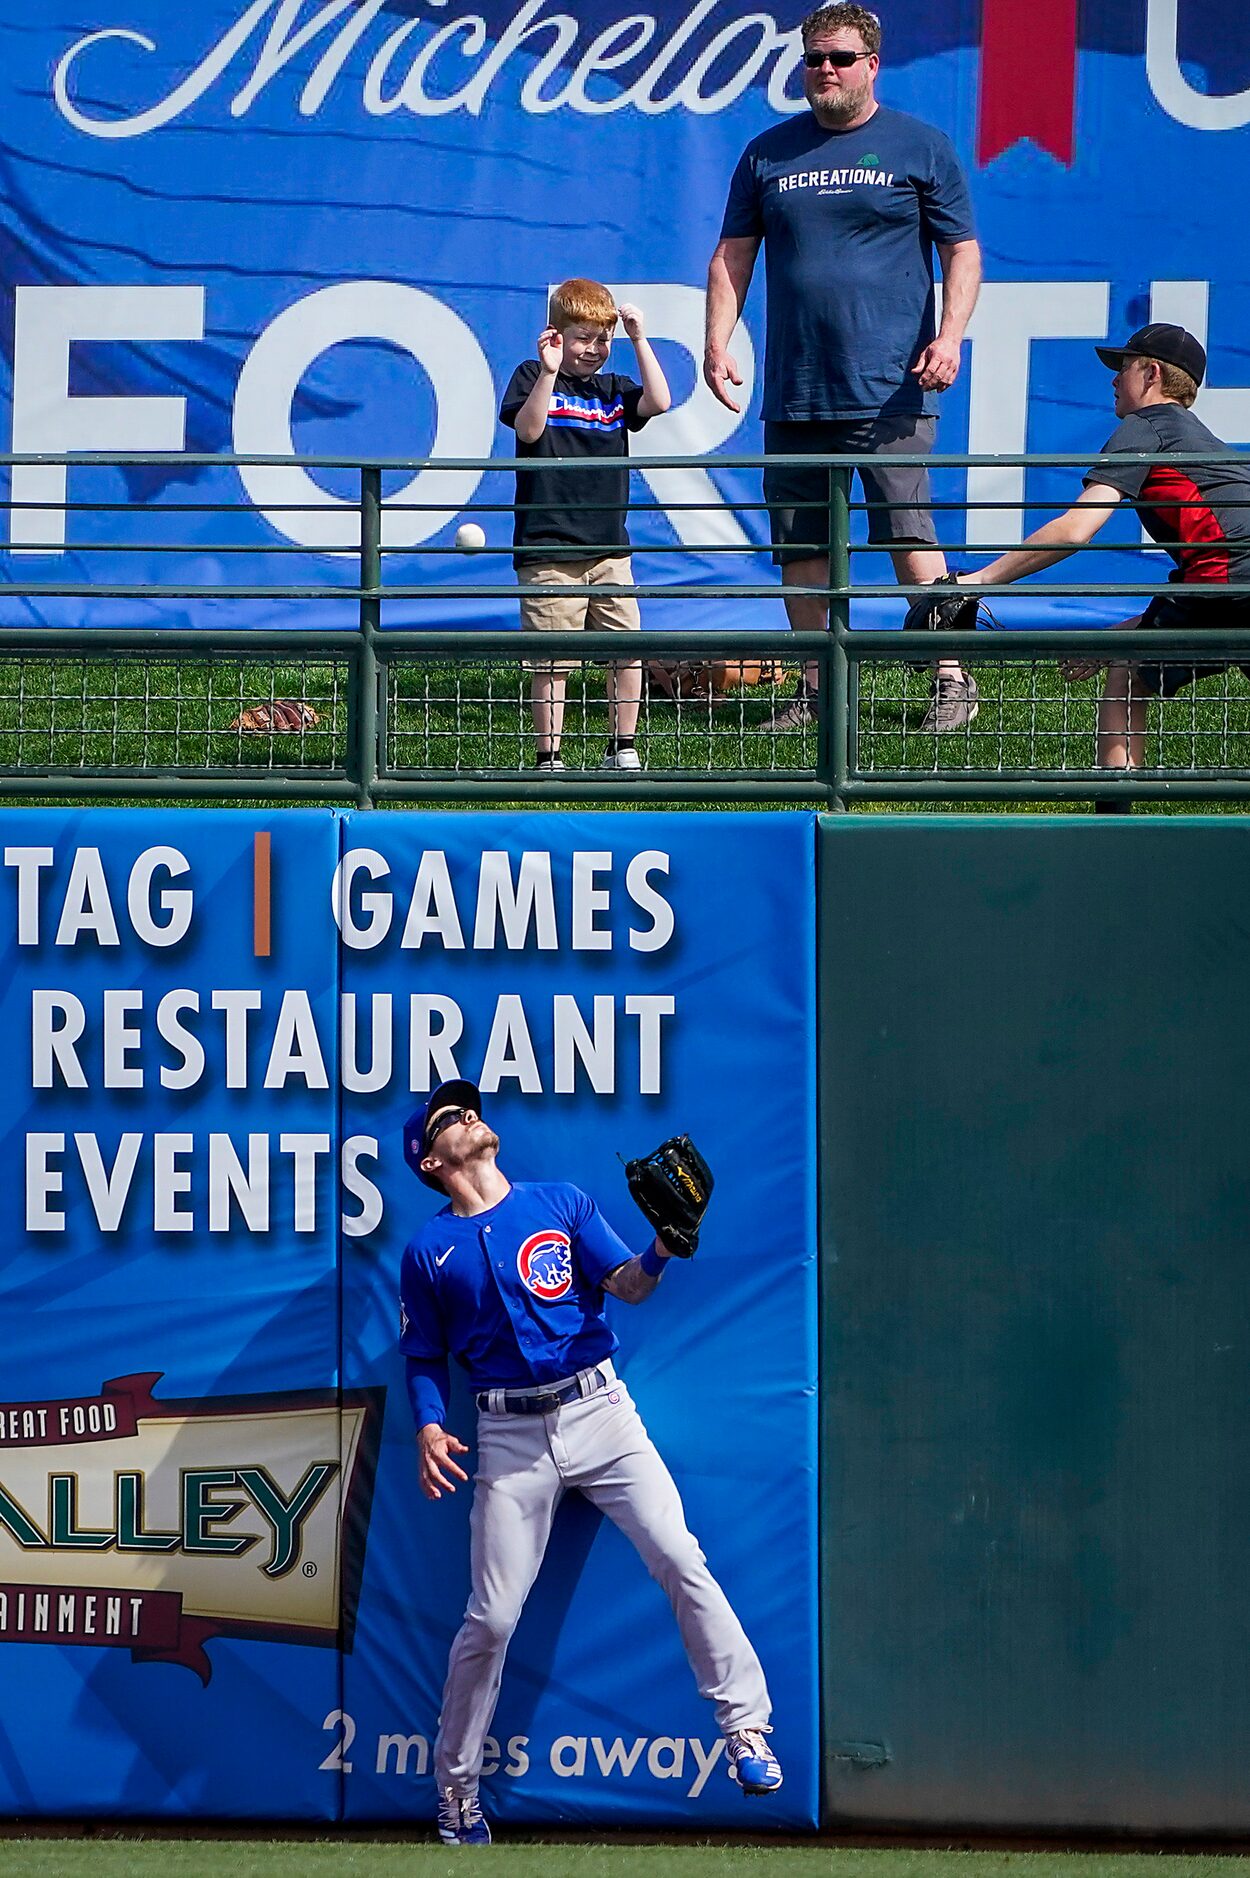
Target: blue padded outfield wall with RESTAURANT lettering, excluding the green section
{"points": [[206, 1445]]}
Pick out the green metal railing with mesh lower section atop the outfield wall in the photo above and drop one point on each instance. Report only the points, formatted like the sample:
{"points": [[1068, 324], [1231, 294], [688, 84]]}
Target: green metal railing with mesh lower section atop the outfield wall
{"points": [[401, 715]]}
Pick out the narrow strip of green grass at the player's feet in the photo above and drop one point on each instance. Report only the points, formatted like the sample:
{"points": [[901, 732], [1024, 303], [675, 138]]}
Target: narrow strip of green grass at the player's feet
{"points": [[519, 1858]]}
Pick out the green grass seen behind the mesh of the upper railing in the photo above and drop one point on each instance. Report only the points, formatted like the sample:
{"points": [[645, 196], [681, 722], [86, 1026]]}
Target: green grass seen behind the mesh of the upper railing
{"points": [[102, 715]]}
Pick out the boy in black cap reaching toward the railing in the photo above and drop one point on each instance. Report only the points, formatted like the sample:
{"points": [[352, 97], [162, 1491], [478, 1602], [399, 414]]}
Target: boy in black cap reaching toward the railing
{"points": [[1200, 512]]}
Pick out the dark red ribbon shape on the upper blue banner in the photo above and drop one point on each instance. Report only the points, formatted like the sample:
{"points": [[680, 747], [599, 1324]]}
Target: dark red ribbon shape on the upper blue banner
{"points": [[1028, 78]]}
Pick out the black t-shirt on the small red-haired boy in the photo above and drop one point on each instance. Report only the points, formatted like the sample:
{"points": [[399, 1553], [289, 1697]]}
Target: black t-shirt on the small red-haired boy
{"points": [[573, 514]]}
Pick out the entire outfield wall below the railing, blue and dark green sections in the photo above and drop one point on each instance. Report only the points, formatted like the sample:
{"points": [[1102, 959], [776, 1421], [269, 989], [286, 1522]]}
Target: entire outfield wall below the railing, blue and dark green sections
{"points": [[981, 1503]]}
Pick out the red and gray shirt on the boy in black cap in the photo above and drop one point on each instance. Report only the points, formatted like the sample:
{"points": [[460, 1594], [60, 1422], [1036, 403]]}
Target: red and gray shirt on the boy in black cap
{"points": [[1204, 508]]}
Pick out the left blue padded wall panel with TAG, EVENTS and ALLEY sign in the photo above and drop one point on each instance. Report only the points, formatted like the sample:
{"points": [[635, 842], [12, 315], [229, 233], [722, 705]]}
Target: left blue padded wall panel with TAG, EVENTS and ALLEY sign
{"points": [[177, 1464]]}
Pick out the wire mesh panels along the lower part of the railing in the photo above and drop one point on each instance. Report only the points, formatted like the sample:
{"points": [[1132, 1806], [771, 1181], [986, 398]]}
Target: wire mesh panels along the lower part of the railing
{"points": [[463, 720]]}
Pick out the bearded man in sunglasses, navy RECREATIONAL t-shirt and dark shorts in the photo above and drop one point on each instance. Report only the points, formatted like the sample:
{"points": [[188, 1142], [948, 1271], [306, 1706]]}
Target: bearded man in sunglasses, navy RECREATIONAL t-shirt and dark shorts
{"points": [[849, 204]]}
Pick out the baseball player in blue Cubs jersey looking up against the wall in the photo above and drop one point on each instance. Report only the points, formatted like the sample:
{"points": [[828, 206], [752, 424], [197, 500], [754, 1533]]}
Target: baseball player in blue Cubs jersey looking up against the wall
{"points": [[510, 1280]]}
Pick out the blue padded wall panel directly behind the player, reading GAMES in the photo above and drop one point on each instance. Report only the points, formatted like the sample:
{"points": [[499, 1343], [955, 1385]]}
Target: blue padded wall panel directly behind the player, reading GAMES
{"points": [[607, 981]]}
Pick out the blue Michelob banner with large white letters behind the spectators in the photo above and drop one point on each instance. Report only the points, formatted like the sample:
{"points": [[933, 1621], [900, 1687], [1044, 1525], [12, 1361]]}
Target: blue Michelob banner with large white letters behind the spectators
{"points": [[329, 226]]}
